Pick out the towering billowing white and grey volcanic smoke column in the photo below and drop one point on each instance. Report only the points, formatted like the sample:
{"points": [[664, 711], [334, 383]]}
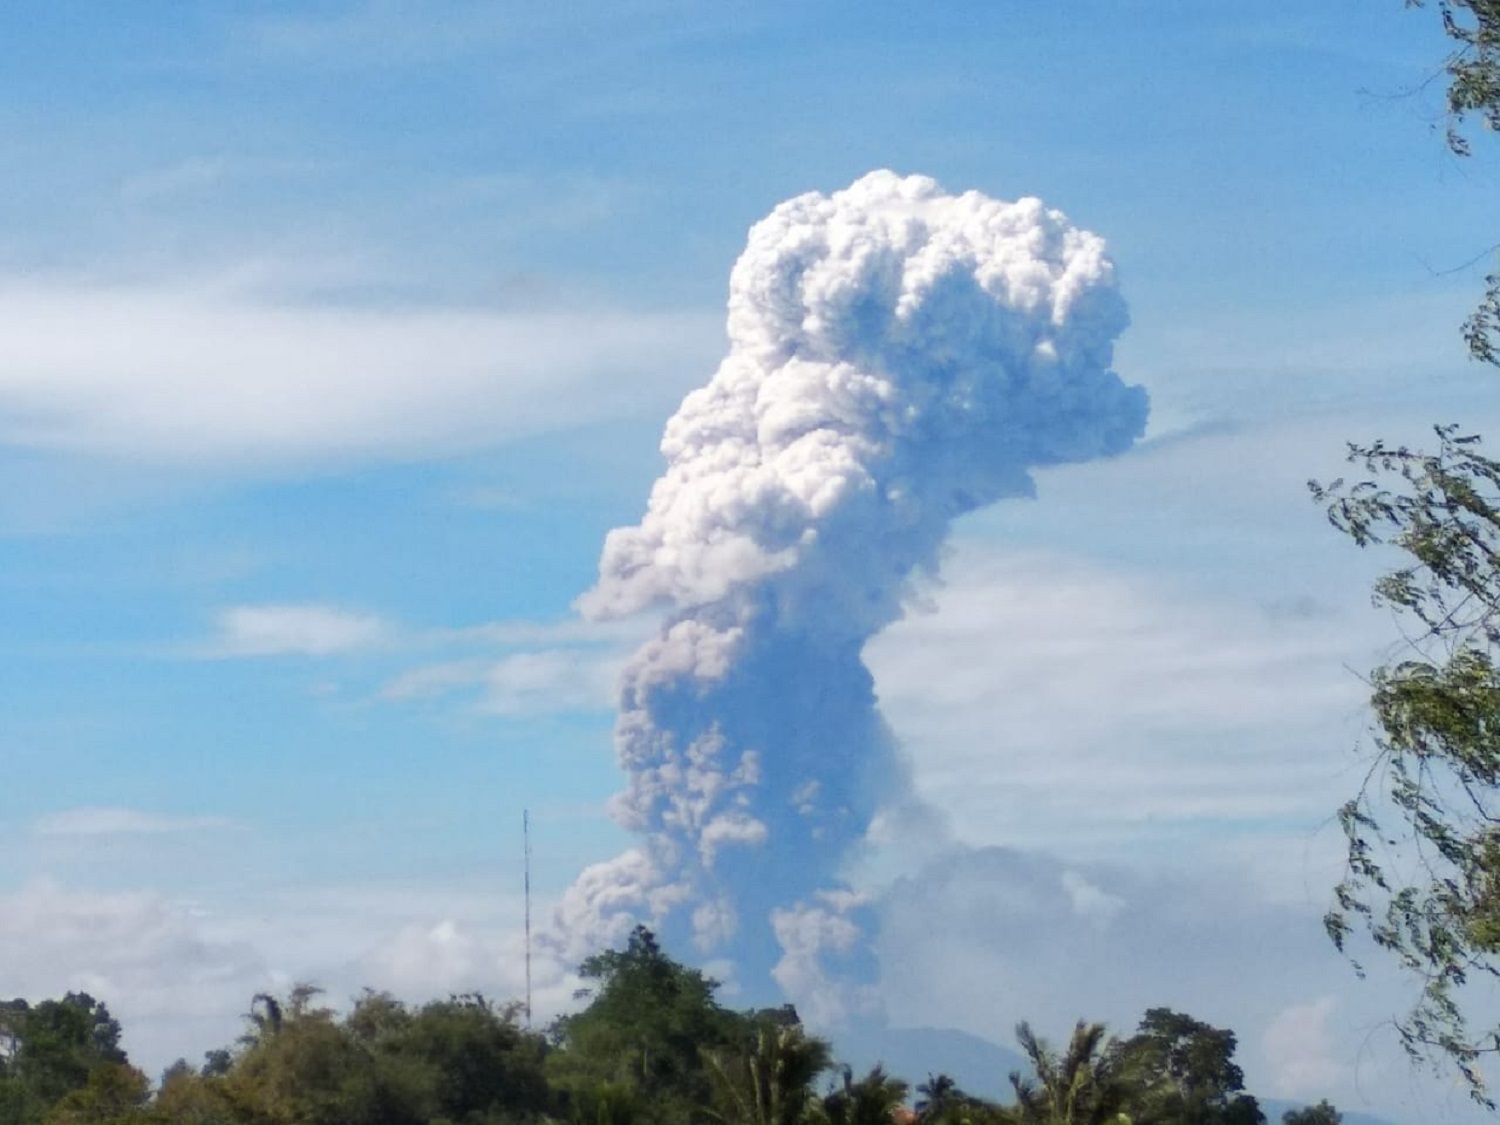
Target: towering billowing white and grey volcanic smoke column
{"points": [[898, 358]]}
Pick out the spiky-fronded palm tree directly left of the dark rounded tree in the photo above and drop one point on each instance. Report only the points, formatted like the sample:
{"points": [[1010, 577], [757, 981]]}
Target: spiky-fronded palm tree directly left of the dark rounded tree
{"points": [[1070, 1090]]}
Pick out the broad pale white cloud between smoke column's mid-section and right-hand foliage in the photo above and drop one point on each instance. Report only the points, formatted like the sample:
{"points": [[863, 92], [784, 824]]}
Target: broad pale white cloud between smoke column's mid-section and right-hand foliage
{"points": [[1057, 704]]}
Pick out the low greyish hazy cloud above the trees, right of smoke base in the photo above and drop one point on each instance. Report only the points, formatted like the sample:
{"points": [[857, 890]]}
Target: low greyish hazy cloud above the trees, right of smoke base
{"points": [[982, 940]]}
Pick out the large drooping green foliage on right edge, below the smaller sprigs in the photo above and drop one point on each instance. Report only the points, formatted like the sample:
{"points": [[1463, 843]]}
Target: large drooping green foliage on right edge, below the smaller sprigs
{"points": [[1424, 850]]}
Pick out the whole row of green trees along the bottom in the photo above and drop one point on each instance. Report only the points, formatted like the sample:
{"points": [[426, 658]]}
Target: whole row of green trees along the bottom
{"points": [[652, 1048]]}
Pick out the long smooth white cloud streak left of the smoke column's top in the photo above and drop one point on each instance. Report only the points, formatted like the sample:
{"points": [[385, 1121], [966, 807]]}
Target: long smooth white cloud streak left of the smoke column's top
{"points": [[205, 377]]}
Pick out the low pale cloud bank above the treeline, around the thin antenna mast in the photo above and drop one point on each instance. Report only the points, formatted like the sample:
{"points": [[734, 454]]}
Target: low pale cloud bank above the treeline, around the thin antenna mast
{"points": [[181, 974]]}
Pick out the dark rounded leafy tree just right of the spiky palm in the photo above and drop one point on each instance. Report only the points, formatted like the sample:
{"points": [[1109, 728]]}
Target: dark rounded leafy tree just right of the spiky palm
{"points": [[1181, 1072]]}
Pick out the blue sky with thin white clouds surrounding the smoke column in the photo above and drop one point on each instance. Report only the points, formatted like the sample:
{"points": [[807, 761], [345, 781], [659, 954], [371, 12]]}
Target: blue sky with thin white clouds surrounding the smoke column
{"points": [[340, 335]]}
